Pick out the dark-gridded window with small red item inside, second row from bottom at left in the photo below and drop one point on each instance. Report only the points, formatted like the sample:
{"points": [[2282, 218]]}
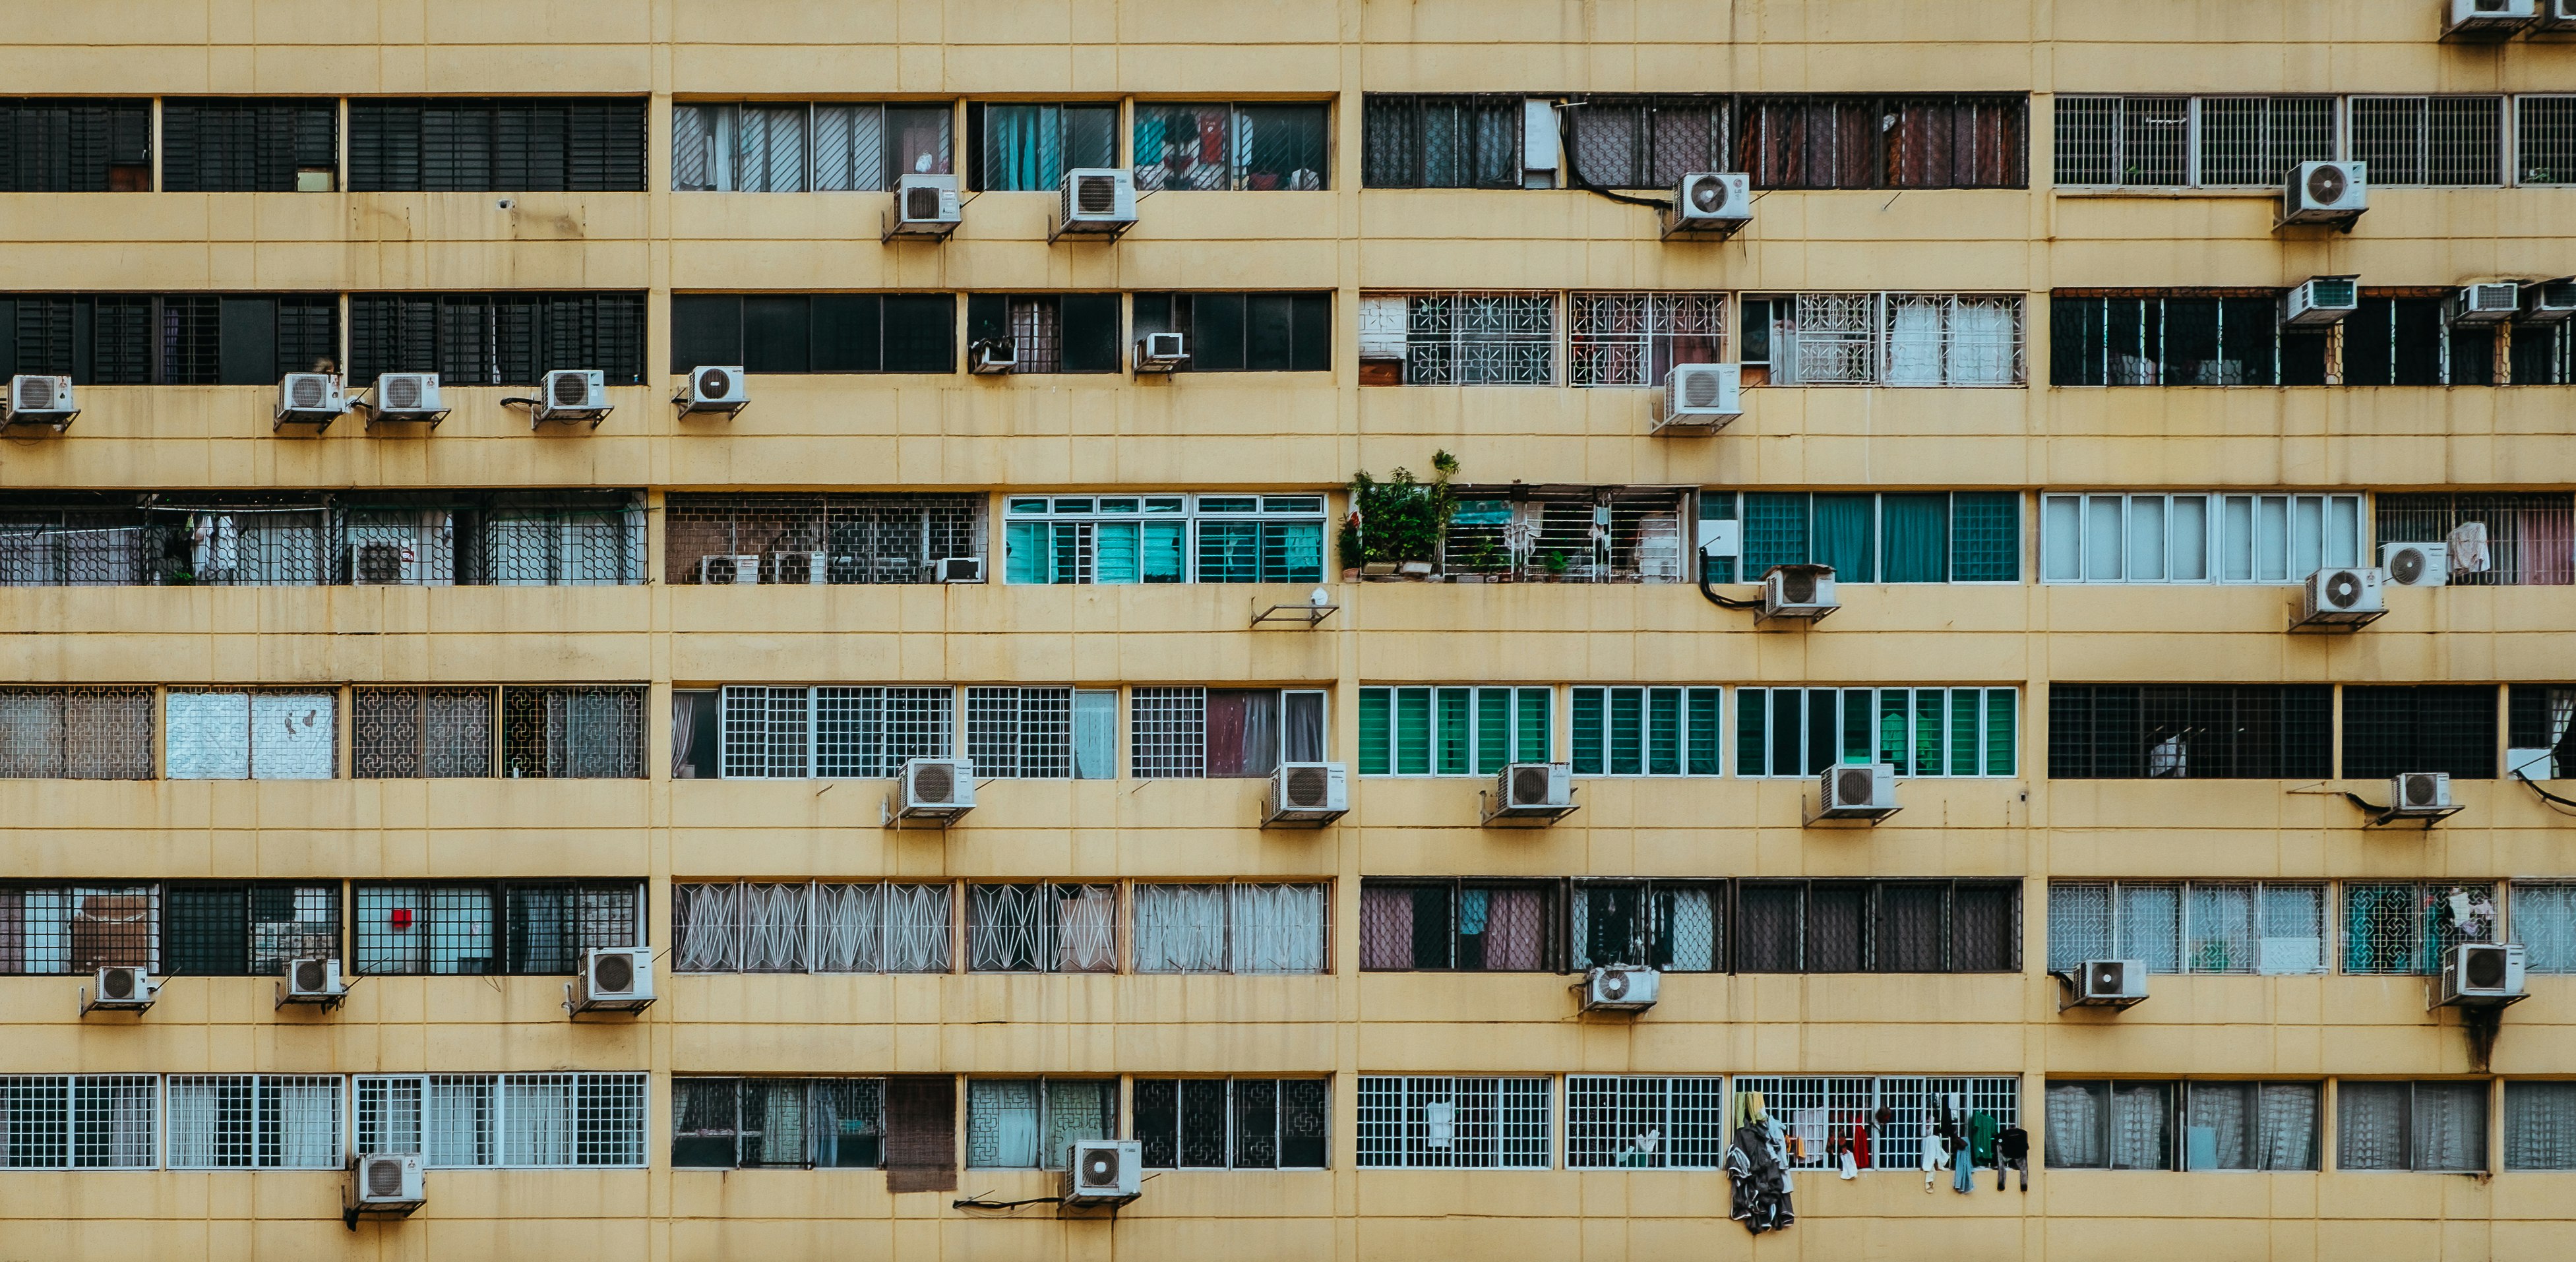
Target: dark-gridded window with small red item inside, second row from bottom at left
{"points": [[493, 928]]}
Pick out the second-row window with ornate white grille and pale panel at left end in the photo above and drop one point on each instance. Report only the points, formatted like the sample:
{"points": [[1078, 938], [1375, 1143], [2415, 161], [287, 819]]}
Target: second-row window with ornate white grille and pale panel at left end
{"points": [[1459, 339]]}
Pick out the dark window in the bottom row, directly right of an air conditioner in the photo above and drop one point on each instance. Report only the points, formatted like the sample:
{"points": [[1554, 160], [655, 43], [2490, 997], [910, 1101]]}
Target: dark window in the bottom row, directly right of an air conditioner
{"points": [[1230, 1124]]}
